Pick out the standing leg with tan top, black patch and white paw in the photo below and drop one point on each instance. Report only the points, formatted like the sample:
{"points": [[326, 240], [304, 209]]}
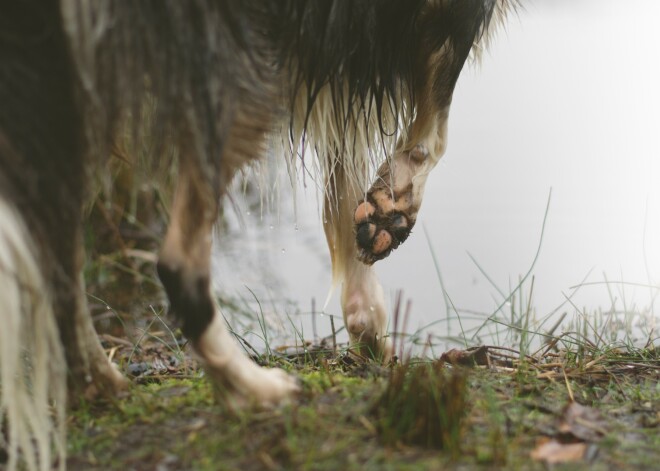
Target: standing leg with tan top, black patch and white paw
{"points": [[184, 269]]}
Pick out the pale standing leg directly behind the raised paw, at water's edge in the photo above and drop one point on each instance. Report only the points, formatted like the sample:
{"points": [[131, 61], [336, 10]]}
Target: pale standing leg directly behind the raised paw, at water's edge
{"points": [[362, 300]]}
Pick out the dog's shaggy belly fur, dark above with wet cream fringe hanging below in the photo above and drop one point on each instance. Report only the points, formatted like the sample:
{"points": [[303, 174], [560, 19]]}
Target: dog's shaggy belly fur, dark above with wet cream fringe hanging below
{"points": [[339, 76]]}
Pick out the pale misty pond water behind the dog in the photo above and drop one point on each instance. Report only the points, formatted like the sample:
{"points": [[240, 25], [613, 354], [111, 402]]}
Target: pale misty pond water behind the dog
{"points": [[565, 102]]}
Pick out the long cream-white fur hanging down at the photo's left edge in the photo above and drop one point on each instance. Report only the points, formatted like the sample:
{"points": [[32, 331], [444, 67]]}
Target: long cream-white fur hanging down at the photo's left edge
{"points": [[32, 365]]}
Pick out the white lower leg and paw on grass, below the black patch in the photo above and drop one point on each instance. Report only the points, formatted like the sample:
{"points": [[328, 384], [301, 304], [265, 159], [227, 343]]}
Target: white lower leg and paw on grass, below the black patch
{"points": [[245, 381]]}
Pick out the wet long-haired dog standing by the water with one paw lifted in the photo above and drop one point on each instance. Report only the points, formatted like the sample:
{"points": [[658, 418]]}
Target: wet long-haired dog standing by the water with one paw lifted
{"points": [[365, 86]]}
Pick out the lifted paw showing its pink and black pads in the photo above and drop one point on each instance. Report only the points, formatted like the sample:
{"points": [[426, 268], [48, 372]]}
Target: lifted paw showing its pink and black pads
{"points": [[383, 221]]}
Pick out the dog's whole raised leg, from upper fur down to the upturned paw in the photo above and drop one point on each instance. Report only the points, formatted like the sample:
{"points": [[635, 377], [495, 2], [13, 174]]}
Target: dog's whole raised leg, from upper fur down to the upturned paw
{"points": [[384, 219]]}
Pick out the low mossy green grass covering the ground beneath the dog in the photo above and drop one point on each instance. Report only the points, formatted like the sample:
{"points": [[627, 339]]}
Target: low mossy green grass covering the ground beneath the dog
{"points": [[356, 415]]}
